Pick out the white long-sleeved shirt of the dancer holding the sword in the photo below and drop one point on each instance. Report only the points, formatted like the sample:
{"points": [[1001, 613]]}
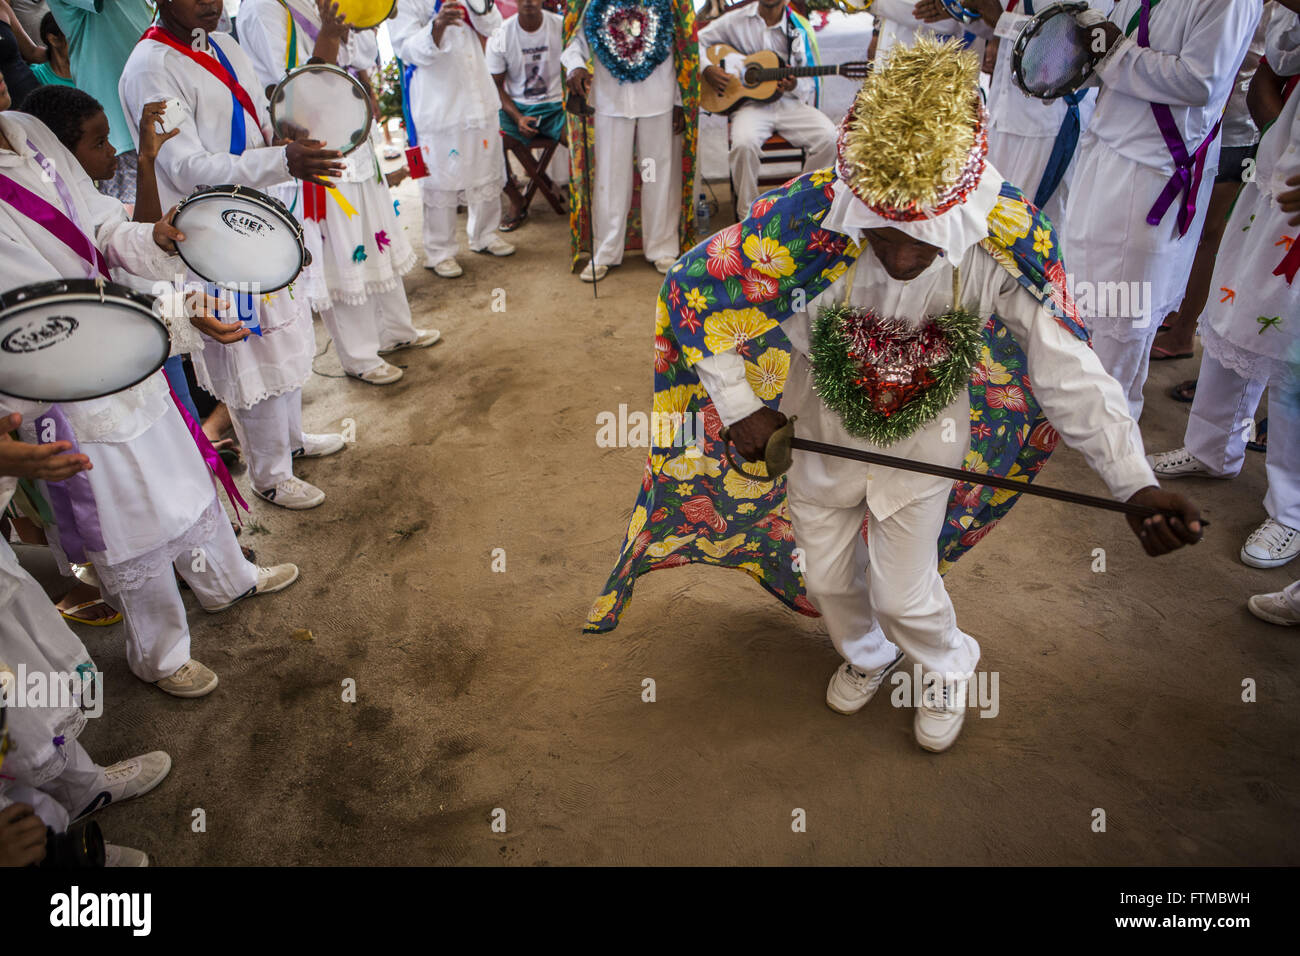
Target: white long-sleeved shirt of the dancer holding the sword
{"points": [[1084, 404]]}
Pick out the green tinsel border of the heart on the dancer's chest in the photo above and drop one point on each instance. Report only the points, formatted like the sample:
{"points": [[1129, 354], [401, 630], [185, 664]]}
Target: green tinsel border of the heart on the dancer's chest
{"points": [[834, 373]]}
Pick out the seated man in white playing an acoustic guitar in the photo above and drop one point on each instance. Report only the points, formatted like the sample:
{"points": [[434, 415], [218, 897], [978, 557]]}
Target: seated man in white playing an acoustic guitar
{"points": [[768, 25]]}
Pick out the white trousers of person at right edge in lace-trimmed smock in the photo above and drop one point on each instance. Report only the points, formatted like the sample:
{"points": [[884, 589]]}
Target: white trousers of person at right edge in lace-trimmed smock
{"points": [[1217, 432]]}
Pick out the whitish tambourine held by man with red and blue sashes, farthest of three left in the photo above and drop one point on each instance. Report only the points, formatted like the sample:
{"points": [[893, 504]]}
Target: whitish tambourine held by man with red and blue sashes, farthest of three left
{"points": [[324, 103]]}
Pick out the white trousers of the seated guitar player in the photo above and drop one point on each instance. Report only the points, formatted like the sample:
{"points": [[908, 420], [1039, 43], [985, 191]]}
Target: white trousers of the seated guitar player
{"points": [[751, 127]]}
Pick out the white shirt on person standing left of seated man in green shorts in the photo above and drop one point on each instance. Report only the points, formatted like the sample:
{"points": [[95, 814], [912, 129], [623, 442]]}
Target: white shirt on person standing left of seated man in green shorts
{"points": [[452, 88]]}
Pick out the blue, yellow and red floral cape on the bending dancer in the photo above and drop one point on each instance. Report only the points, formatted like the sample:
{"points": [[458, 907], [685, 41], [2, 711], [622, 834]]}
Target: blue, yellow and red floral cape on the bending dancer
{"points": [[733, 292]]}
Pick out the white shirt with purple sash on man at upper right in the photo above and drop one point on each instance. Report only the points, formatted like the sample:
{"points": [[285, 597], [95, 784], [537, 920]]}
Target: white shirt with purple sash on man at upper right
{"points": [[1197, 49]]}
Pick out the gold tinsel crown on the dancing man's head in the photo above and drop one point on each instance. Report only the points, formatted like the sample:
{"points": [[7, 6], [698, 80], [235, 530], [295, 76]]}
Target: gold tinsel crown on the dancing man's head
{"points": [[915, 142]]}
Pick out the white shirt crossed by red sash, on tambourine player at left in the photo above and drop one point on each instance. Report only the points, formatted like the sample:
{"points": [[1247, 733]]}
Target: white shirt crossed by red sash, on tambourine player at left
{"points": [[201, 154]]}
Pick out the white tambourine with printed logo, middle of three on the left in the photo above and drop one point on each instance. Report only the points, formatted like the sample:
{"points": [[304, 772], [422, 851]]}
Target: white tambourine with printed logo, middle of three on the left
{"points": [[240, 239]]}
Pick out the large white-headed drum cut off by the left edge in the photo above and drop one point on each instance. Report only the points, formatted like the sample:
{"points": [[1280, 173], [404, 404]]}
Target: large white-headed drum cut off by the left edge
{"points": [[77, 339]]}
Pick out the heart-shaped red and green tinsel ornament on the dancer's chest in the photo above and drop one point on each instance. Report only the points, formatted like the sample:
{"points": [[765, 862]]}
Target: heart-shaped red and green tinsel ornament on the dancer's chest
{"points": [[886, 378]]}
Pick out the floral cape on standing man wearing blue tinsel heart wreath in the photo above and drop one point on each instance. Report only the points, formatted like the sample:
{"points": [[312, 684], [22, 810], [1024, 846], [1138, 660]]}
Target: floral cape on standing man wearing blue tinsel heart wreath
{"points": [[582, 149]]}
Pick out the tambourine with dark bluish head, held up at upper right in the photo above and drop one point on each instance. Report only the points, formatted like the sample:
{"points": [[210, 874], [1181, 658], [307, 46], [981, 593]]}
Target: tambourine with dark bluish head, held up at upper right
{"points": [[1054, 55]]}
